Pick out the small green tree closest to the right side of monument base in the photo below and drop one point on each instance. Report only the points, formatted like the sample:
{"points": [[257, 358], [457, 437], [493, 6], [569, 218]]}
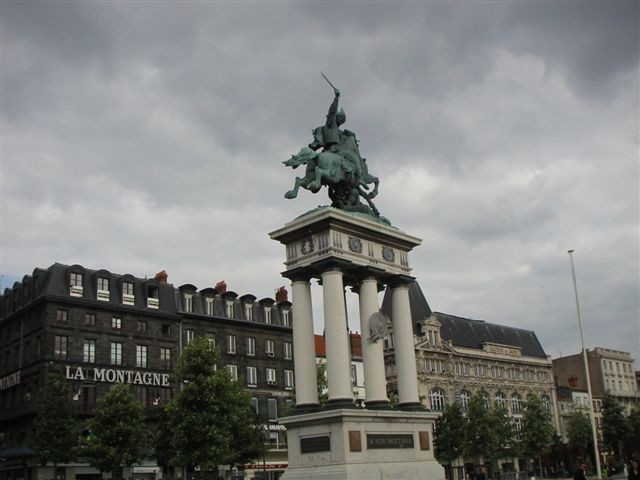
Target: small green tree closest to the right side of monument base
{"points": [[449, 431]]}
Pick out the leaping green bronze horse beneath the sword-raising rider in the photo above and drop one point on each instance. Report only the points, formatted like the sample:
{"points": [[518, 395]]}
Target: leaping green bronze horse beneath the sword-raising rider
{"points": [[346, 182]]}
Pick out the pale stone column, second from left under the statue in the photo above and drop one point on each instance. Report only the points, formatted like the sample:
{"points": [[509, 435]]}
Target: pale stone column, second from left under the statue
{"points": [[336, 340]]}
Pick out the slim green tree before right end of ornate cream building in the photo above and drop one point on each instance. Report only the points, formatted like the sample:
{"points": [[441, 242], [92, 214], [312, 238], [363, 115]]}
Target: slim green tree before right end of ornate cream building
{"points": [[538, 433]]}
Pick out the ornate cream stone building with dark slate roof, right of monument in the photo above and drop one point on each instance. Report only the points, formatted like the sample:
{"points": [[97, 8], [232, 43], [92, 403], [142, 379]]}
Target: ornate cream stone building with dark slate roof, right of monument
{"points": [[457, 357]]}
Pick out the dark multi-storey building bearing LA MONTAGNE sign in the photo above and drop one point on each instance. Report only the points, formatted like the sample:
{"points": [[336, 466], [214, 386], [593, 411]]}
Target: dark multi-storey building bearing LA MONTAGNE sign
{"points": [[99, 329]]}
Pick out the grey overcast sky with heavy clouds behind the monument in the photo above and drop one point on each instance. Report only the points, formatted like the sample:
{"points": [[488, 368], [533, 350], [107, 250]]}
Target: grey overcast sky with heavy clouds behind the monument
{"points": [[141, 136]]}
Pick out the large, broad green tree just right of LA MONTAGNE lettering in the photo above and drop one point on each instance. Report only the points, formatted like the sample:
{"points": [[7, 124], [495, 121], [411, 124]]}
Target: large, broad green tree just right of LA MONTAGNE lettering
{"points": [[211, 419]]}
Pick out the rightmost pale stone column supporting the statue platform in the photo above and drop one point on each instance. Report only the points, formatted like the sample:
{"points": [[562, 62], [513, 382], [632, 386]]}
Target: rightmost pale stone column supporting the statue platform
{"points": [[404, 348]]}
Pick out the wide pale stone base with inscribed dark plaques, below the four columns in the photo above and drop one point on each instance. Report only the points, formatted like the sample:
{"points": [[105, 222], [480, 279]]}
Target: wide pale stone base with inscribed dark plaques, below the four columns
{"points": [[359, 444]]}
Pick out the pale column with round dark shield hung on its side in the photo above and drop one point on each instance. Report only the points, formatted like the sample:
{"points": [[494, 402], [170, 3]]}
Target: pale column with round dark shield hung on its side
{"points": [[372, 352]]}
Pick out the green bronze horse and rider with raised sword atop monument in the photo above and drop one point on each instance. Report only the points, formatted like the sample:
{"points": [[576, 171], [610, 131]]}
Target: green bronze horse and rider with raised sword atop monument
{"points": [[339, 166]]}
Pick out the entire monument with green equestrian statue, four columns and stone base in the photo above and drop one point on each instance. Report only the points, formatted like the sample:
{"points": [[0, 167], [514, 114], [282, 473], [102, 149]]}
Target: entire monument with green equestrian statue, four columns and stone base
{"points": [[349, 244]]}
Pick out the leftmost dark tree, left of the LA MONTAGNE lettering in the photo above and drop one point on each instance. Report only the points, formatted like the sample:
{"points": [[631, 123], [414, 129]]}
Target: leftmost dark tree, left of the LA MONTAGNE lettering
{"points": [[54, 437]]}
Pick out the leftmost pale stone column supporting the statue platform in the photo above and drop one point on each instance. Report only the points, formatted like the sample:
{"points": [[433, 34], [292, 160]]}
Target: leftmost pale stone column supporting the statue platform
{"points": [[304, 354]]}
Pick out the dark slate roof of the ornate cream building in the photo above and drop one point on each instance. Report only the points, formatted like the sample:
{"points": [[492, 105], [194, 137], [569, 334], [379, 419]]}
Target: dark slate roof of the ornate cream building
{"points": [[466, 332]]}
